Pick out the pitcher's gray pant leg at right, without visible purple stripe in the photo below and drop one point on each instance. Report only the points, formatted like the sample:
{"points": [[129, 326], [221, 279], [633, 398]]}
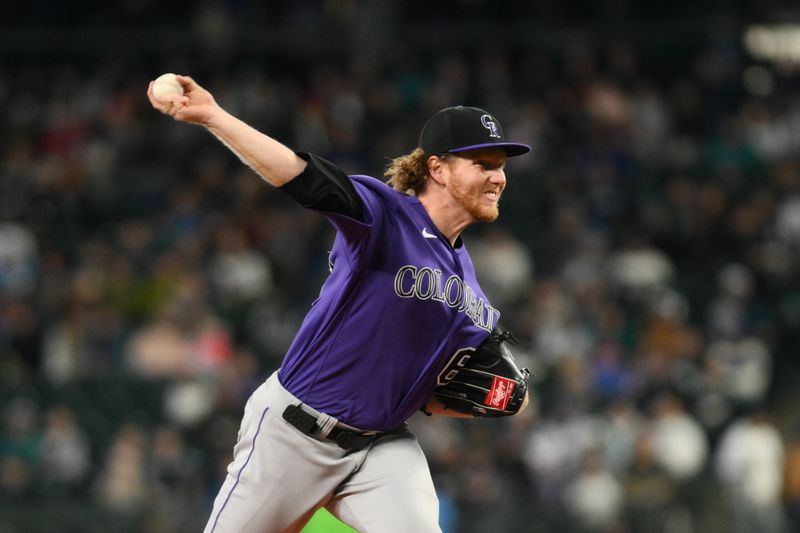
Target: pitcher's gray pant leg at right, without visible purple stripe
{"points": [[392, 491]]}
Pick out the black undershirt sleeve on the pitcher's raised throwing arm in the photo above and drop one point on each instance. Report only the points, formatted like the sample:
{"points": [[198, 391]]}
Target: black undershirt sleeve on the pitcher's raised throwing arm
{"points": [[323, 186]]}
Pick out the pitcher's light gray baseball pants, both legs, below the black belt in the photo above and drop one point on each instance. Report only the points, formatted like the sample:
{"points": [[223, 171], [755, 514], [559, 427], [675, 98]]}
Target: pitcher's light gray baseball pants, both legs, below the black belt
{"points": [[280, 476]]}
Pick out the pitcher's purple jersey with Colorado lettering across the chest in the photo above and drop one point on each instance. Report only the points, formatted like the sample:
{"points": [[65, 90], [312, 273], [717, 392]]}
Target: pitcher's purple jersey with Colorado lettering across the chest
{"points": [[399, 304]]}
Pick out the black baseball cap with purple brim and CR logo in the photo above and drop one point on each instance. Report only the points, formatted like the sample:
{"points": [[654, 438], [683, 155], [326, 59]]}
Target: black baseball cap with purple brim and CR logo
{"points": [[460, 128]]}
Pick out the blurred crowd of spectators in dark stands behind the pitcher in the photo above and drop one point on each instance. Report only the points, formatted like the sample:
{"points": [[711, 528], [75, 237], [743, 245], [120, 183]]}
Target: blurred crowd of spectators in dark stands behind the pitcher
{"points": [[647, 256]]}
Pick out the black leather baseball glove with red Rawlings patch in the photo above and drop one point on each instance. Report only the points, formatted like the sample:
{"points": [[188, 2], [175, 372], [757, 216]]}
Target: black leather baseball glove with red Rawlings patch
{"points": [[484, 382]]}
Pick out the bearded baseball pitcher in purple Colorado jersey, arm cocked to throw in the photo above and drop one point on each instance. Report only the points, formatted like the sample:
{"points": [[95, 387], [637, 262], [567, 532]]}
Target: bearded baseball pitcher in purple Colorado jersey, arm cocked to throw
{"points": [[400, 325]]}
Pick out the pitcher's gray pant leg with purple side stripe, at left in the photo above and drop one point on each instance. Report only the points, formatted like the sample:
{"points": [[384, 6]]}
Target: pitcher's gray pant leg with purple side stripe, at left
{"points": [[278, 476]]}
